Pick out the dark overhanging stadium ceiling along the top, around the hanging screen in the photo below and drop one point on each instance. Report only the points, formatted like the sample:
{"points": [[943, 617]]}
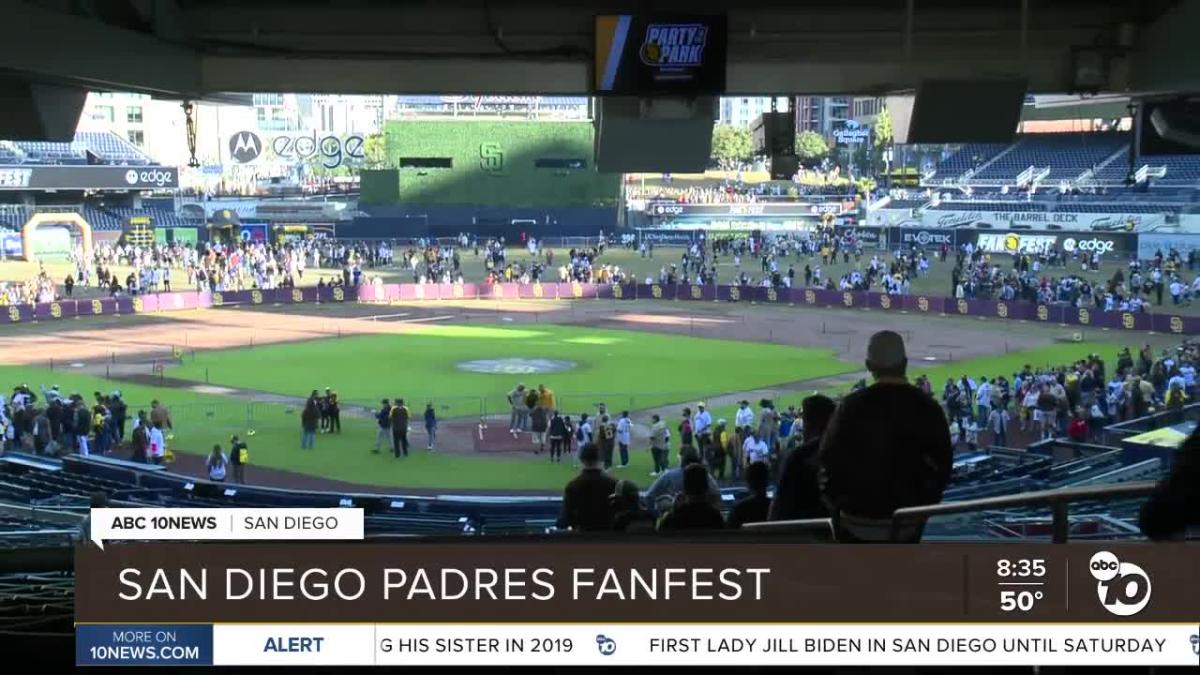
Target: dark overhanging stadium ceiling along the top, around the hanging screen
{"points": [[195, 49]]}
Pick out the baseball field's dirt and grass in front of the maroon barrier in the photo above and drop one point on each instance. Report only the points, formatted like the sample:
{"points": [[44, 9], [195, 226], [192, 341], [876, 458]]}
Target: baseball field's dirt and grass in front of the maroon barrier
{"points": [[247, 372]]}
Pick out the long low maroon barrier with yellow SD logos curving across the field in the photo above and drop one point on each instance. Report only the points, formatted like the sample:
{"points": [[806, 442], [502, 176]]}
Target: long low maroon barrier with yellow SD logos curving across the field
{"points": [[1160, 322]]}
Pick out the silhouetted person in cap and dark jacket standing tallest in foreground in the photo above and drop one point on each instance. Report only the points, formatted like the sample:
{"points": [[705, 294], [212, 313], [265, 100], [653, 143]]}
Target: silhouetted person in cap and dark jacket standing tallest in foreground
{"points": [[887, 447]]}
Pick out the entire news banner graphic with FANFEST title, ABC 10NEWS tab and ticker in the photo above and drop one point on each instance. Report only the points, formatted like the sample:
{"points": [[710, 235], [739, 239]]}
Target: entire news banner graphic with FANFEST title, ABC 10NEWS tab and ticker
{"points": [[302, 588]]}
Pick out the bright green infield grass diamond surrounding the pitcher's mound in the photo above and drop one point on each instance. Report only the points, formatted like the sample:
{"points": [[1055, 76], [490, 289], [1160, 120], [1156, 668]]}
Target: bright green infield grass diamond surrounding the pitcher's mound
{"points": [[622, 368]]}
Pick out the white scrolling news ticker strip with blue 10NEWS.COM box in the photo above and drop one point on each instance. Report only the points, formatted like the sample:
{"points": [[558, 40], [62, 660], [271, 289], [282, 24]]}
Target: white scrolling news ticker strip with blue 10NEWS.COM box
{"points": [[650, 644]]}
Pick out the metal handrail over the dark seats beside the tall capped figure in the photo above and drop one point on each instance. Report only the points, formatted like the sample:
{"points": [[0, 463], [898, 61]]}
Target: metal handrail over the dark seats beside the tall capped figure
{"points": [[1058, 500]]}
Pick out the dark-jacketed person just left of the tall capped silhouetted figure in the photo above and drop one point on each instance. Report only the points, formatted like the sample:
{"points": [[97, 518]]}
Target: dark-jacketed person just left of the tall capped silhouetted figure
{"points": [[799, 494]]}
